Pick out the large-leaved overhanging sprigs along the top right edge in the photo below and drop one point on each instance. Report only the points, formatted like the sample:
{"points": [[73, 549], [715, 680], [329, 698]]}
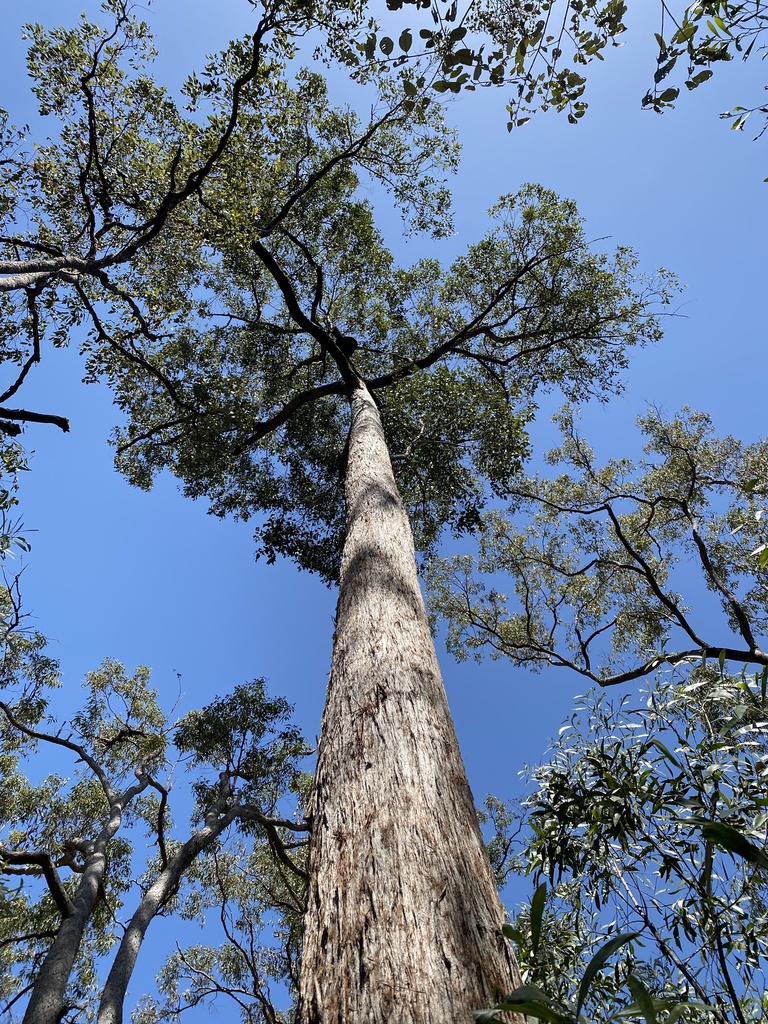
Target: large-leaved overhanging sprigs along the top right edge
{"points": [[541, 49]]}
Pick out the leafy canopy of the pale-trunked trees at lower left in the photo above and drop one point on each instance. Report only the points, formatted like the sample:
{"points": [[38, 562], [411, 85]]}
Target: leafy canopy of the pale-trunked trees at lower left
{"points": [[114, 798]]}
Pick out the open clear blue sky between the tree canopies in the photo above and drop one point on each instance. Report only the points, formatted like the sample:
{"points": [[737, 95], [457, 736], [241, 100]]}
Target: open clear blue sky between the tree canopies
{"points": [[150, 579]]}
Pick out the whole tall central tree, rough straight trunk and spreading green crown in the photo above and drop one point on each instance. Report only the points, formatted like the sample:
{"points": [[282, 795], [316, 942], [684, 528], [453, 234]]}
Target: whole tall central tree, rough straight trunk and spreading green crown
{"points": [[310, 334]]}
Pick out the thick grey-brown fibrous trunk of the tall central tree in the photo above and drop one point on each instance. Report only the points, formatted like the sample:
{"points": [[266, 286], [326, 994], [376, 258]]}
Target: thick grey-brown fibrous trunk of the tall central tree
{"points": [[404, 921]]}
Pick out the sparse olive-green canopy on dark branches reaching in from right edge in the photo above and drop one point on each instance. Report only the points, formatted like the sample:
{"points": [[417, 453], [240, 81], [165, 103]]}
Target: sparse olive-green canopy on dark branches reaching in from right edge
{"points": [[598, 557]]}
